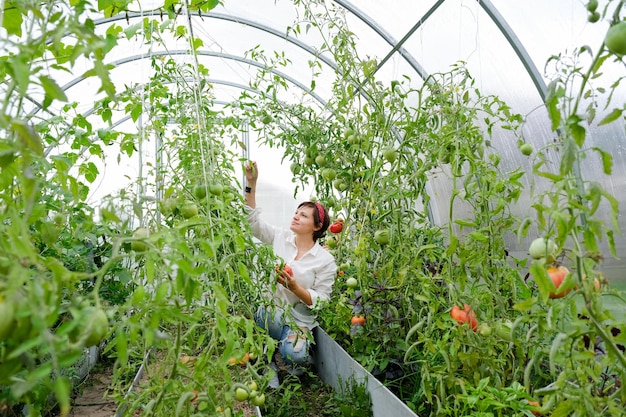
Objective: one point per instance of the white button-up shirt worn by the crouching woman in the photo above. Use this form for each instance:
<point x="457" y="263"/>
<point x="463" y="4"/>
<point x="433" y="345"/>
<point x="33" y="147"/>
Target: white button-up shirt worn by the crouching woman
<point x="315" y="270"/>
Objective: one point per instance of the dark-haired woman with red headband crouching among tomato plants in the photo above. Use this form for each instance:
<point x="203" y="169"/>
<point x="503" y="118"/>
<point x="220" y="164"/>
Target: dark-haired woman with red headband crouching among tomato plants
<point x="292" y="312"/>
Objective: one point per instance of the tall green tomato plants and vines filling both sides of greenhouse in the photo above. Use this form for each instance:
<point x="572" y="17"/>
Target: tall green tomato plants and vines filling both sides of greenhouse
<point x="191" y="288"/>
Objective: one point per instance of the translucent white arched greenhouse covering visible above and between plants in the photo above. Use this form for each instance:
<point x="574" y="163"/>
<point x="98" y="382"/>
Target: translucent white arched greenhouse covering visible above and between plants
<point x="511" y="50"/>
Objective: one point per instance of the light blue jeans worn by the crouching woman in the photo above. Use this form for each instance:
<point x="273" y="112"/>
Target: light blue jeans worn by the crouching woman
<point x="293" y="346"/>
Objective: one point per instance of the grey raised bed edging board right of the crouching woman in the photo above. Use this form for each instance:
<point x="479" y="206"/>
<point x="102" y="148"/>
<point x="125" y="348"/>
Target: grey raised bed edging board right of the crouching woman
<point x="335" y="365"/>
